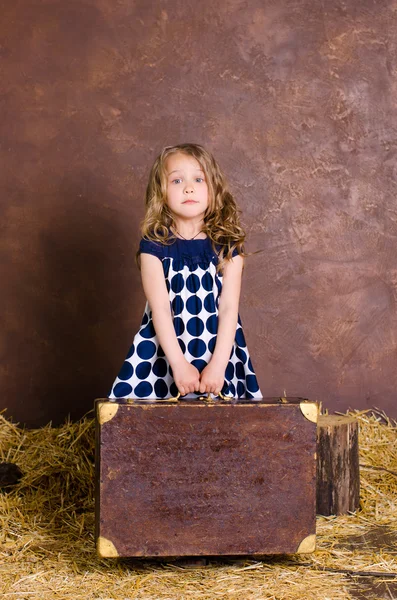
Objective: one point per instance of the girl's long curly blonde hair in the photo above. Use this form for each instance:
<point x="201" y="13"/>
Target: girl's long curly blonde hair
<point x="221" y="219"/>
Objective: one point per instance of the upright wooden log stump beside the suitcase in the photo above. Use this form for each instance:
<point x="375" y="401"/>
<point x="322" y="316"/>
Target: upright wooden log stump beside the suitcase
<point x="338" y="475"/>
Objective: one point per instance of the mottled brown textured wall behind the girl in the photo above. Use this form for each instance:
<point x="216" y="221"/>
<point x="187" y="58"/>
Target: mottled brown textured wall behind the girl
<point x="297" y="100"/>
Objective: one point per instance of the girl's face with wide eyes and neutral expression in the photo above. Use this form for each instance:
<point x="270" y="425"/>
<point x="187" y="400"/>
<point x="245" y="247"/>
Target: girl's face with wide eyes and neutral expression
<point x="187" y="189"/>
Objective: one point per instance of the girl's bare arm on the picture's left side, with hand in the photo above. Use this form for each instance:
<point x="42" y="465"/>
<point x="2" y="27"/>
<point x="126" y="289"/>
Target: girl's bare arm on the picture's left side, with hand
<point x="186" y="376"/>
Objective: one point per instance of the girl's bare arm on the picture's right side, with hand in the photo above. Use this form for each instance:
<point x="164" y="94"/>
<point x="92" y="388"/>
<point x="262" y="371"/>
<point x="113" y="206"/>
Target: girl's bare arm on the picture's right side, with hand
<point x="213" y="376"/>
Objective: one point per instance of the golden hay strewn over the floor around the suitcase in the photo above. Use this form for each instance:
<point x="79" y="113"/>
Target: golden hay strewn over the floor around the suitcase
<point x="47" y="543"/>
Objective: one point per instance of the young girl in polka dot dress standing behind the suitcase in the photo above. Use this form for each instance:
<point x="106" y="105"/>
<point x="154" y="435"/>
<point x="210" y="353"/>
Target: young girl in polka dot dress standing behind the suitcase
<point x="191" y="258"/>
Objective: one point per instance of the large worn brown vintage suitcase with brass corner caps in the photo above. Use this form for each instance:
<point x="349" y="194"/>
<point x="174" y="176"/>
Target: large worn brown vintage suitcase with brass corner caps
<point x="195" y="478"/>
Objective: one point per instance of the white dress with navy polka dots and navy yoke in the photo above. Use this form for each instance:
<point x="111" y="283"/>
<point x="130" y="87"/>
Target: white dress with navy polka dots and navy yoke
<point x="194" y="289"/>
